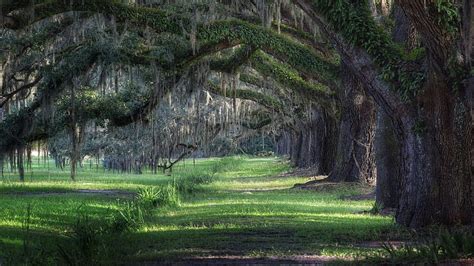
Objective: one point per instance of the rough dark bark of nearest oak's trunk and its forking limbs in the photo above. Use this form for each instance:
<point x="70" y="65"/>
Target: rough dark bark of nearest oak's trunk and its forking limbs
<point x="434" y="128"/>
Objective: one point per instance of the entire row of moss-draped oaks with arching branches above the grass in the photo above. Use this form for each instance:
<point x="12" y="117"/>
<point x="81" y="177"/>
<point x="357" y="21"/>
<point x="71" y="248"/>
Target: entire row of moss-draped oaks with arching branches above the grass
<point x="375" y="92"/>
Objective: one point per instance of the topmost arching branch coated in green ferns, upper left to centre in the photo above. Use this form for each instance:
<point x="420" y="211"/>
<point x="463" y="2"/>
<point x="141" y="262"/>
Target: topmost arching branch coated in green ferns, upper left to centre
<point x="297" y="55"/>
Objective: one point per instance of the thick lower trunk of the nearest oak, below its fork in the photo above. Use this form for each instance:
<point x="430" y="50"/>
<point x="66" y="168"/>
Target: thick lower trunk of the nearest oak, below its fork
<point x="436" y="160"/>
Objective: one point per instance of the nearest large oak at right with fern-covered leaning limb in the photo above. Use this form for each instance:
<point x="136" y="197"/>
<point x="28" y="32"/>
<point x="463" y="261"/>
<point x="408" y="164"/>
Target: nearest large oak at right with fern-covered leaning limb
<point x="426" y="97"/>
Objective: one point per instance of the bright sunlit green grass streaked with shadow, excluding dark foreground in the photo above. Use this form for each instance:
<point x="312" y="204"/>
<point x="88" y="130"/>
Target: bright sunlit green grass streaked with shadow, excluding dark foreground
<point x="225" y="216"/>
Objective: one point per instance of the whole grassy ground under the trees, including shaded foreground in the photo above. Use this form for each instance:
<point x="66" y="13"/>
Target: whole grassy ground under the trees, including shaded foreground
<point x="249" y="214"/>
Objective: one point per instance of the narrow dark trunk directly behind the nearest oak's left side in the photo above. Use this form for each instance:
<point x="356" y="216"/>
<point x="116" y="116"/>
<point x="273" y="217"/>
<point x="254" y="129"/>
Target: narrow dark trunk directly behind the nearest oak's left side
<point x="388" y="161"/>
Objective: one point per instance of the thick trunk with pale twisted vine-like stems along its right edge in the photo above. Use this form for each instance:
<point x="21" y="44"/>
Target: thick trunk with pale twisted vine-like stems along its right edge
<point x="355" y="159"/>
